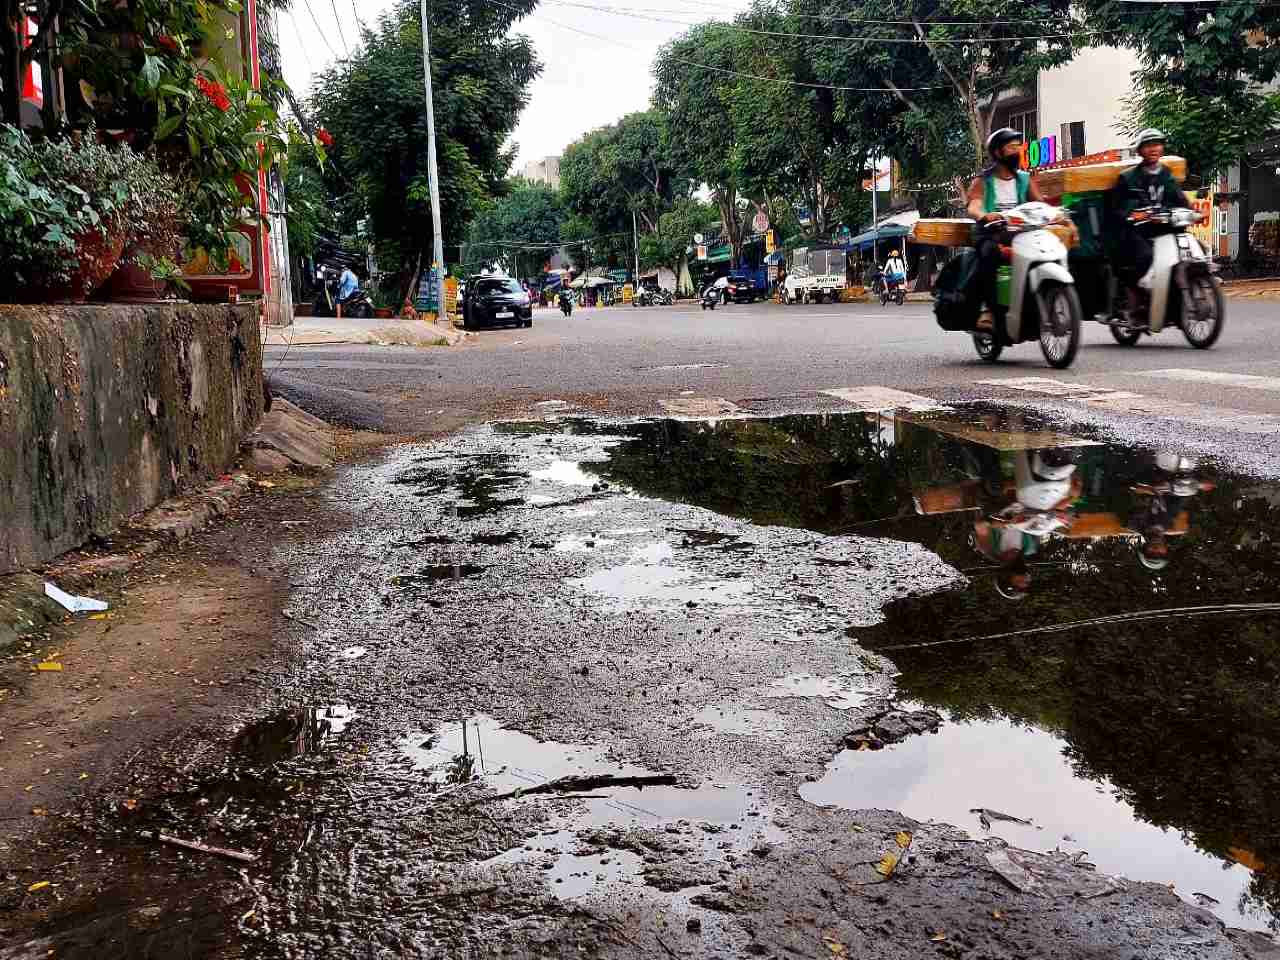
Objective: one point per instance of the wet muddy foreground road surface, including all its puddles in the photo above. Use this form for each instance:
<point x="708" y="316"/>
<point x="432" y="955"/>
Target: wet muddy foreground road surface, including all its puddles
<point x="957" y="683"/>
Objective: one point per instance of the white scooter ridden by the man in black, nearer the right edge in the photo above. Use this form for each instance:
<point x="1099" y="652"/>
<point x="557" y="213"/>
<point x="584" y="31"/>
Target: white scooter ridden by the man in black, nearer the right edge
<point x="1180" y="291"/>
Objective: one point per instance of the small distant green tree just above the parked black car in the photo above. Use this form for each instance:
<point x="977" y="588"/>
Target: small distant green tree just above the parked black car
<point x="520" y="230"/>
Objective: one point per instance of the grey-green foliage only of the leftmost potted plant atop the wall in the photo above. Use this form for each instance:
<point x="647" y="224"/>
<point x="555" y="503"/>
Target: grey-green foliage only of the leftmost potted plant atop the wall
<point x="53" y="194"/>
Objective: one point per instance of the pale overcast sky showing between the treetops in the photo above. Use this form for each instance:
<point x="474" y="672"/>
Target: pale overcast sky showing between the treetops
<point x="587" y="83"/>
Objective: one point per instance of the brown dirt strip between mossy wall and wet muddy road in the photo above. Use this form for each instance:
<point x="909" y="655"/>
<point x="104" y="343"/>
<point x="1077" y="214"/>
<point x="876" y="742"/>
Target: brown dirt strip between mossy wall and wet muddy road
<point x="176" y="657"/>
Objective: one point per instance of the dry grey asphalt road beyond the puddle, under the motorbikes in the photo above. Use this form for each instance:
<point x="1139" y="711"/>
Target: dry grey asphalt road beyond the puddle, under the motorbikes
<point x="628" y="360"/>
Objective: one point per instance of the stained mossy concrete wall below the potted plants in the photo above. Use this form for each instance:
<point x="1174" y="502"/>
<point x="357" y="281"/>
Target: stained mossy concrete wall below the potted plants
<point x="108" y="410"/>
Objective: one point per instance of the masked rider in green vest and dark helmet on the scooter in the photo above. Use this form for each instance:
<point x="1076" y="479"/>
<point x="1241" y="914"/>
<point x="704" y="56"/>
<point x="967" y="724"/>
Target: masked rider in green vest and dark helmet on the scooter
<point x="999" y="189"/>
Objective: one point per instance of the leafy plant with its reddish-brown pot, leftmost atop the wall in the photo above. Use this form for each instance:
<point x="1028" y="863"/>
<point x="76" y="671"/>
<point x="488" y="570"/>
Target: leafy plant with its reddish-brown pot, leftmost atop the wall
<point x="63" y="214"/>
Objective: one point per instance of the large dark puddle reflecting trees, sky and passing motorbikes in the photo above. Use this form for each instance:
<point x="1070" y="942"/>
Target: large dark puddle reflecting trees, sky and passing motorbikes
<point x="1109" y="673"/>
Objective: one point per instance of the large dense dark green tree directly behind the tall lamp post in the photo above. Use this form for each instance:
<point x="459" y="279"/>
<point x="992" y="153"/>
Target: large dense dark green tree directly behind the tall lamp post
<point x="373" y="107"/>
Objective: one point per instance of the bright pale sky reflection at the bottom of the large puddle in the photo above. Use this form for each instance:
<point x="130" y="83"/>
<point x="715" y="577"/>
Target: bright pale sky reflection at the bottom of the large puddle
<point x="1027" y="774"/>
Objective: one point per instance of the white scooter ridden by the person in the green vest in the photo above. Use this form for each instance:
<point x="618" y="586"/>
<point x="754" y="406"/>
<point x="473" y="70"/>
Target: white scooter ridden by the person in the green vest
<point x="1043" y="303"/>
